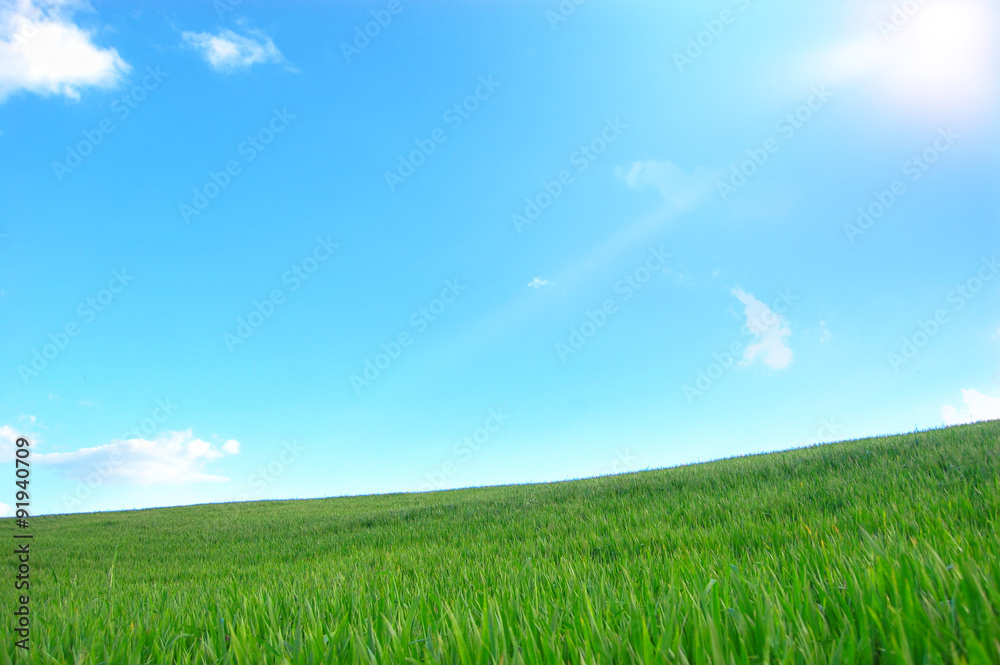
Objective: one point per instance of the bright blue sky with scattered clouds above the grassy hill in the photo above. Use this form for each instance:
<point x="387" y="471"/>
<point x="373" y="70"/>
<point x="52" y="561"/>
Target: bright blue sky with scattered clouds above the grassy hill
<point x="249" y="252"/>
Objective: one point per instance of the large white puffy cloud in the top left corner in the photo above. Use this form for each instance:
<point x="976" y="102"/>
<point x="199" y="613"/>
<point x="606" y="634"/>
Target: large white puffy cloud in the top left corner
<point x="44" y="52"/>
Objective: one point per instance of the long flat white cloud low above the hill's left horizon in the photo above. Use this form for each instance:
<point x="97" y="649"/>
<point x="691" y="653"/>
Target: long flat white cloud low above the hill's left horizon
<point x="172" y="457"/>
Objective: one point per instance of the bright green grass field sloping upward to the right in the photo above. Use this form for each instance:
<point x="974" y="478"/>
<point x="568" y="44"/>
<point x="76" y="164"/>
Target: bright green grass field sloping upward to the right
<point x="875" y="551"/>
